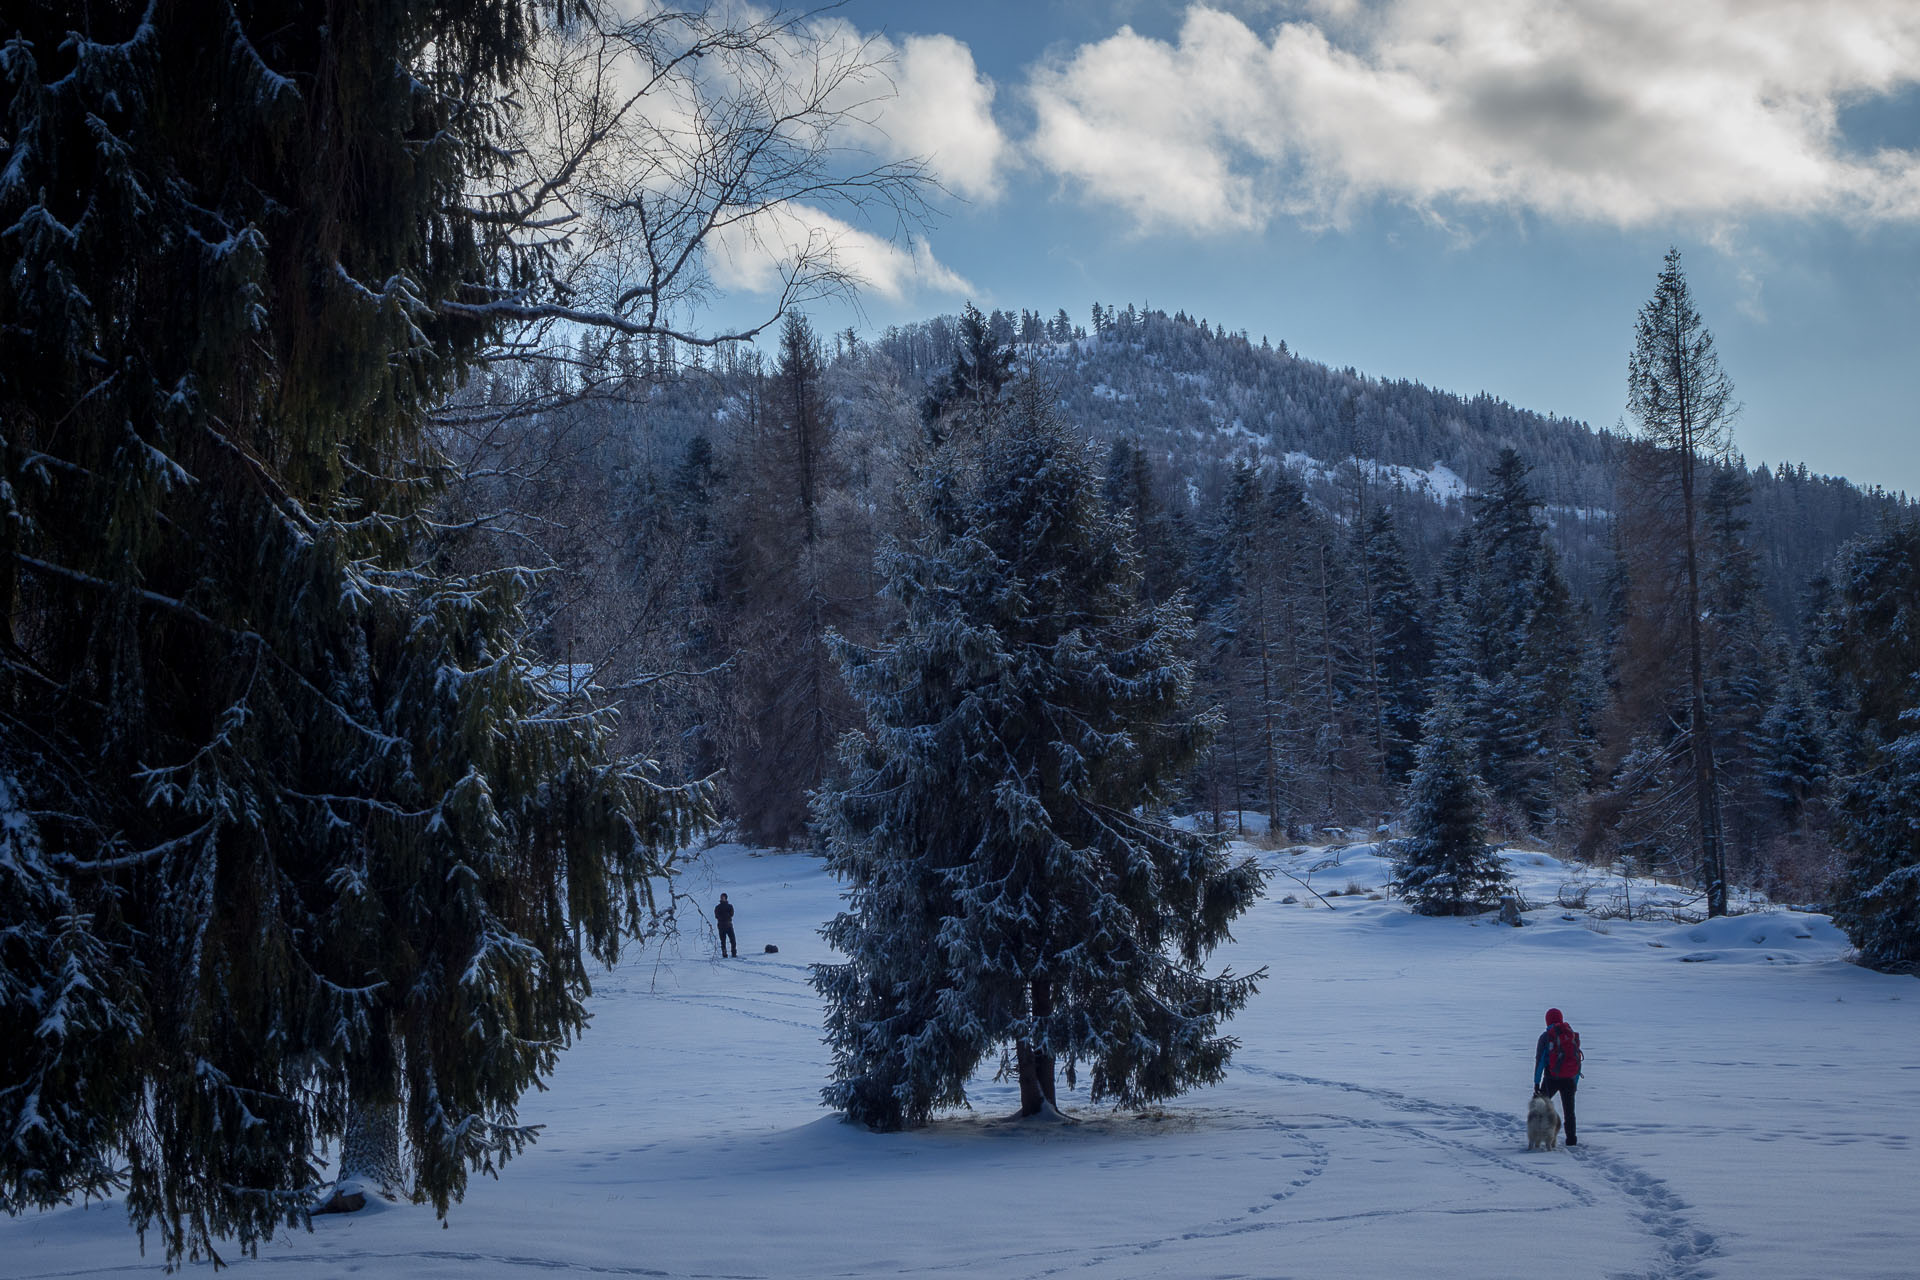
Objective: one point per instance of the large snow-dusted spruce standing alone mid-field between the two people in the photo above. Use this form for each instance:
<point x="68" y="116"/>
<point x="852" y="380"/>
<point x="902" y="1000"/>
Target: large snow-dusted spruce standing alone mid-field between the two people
<point x="1007" y="884"/>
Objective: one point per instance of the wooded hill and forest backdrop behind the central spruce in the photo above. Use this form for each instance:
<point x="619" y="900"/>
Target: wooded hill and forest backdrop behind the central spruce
<point x="1349" y="550"/>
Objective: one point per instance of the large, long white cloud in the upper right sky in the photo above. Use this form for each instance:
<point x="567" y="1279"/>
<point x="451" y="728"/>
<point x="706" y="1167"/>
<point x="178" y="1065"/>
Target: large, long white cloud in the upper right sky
<point x="1620" y="112"/>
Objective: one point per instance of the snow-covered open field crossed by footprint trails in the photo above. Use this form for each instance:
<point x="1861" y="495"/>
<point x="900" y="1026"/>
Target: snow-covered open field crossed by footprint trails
<point x="1750" y="1110"/>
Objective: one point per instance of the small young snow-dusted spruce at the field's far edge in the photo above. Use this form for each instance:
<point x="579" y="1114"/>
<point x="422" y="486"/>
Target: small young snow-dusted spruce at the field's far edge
<point x="1445" y="865"/>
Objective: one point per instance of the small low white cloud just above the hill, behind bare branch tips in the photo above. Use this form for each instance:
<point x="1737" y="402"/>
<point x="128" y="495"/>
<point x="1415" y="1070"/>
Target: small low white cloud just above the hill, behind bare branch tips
<point x="756" y="256"/>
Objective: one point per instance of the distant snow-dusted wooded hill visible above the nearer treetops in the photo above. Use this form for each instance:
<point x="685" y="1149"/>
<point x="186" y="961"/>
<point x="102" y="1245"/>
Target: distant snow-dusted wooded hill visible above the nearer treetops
<point x="1199" y="400"/>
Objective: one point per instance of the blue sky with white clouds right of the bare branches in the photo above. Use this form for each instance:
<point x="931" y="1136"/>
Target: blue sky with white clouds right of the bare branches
<point x="1470" y="193"/>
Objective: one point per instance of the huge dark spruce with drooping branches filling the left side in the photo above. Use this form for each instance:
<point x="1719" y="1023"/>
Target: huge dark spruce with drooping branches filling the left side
<point x="291" y="824"/>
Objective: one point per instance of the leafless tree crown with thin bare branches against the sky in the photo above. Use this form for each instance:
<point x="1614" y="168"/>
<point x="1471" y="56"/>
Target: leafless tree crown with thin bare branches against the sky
<point x="648" y="145"/>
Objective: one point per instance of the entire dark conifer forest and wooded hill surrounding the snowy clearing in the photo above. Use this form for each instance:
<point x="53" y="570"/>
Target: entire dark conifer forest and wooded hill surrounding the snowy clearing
<point x="404" y="569"/>
